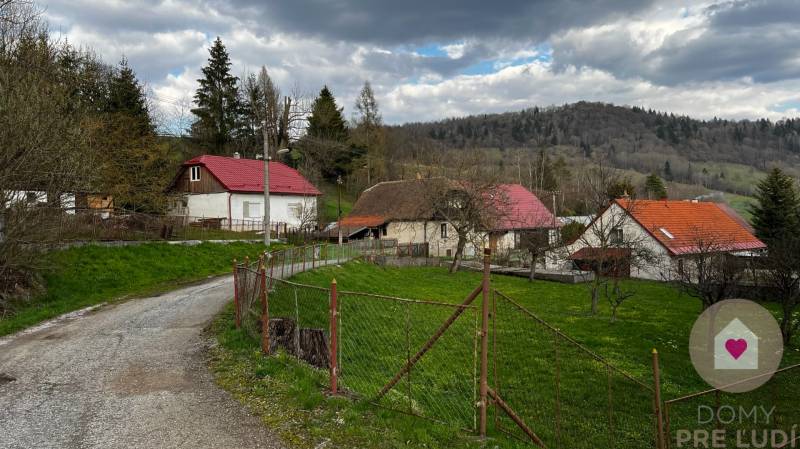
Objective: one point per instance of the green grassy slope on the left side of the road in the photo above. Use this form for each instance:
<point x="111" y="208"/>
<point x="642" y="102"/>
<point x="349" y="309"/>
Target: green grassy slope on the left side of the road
<point x="84" y="276"/>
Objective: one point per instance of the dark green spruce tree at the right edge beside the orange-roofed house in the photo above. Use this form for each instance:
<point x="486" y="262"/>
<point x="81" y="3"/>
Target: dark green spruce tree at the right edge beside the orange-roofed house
<point x="775" y="216"/>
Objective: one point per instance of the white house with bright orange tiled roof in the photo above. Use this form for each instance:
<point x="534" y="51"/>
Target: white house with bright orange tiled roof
<point x="671" y="231"/>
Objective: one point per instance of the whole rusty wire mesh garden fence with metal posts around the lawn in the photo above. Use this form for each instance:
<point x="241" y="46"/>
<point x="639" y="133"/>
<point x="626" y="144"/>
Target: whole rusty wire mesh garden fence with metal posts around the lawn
<point x="486" y="362"/>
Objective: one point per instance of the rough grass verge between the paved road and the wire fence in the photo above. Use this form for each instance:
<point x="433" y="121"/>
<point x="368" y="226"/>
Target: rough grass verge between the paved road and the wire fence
<point x="289" y="397"/>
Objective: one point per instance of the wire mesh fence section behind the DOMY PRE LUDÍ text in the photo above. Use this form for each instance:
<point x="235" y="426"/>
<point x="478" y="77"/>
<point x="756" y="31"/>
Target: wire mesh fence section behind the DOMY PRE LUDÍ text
<point x="718" y="410"/>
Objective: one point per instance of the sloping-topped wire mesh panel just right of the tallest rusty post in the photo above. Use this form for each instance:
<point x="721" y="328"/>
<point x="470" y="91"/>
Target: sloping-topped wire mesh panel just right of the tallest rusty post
<point x="568" y="396"/>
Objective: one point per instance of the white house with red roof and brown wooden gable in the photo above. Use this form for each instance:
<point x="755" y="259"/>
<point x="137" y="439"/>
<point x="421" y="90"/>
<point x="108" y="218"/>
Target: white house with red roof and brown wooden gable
<point x="231" y="189"/>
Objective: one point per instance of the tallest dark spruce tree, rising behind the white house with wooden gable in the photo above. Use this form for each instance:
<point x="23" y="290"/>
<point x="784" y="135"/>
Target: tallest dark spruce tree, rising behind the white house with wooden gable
<point x="218" y="108"/>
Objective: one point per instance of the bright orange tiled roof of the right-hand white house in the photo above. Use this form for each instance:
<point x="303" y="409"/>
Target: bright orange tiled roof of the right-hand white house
<point x="687" y="227"/>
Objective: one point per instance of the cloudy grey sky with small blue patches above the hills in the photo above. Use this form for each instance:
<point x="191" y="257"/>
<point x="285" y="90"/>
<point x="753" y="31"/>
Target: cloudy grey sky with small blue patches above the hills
<point x="435" y="59"/>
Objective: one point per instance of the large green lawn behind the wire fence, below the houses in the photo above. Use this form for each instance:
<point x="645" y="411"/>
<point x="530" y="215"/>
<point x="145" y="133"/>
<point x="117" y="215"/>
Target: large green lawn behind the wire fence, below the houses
<point x="567" y="397"/>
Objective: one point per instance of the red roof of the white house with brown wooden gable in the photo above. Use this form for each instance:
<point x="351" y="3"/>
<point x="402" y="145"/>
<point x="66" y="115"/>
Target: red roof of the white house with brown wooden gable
<point x="247" y="175"/>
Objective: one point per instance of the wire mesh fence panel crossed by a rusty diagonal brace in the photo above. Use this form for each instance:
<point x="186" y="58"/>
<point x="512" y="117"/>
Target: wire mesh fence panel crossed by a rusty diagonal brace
<point x="384" y="339"/>
